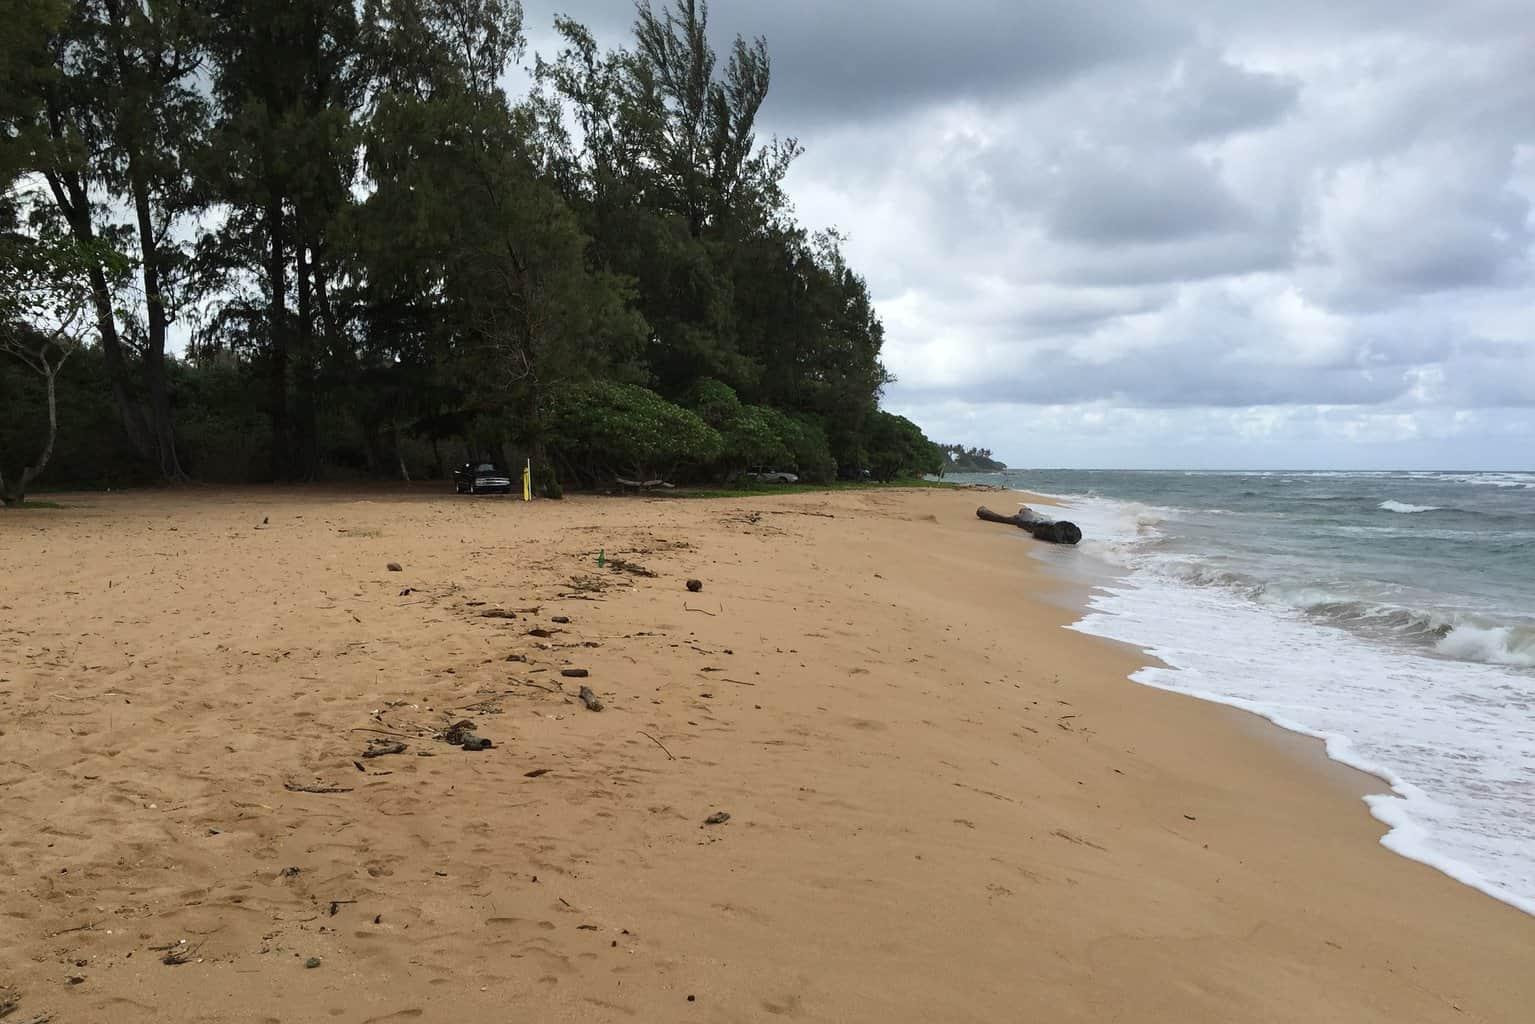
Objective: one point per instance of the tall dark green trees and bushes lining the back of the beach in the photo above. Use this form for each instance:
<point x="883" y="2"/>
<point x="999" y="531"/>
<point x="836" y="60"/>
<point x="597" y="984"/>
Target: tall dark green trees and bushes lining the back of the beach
<point x="375" y="260"/>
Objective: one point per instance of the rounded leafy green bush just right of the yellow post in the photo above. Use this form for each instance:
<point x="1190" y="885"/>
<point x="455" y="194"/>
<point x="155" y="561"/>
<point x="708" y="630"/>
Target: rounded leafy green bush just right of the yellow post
<point x="602" y="431"/>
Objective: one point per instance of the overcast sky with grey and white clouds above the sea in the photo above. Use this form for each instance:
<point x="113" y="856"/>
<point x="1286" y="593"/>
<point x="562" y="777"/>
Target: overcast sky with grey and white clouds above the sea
<point x="1198" y="234"/>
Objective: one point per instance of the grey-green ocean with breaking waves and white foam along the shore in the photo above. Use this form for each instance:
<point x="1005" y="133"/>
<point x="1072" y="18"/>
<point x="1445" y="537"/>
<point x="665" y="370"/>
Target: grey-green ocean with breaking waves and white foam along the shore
<point x="1391" y="615"/>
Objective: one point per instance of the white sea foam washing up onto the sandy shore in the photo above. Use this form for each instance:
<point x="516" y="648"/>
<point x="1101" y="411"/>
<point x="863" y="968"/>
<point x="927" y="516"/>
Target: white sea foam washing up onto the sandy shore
<point x="1453" y="739"/>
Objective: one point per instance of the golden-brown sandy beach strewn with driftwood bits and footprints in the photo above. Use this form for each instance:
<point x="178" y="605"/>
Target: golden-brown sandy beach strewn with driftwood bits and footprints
<point x="943" y="807"/>
